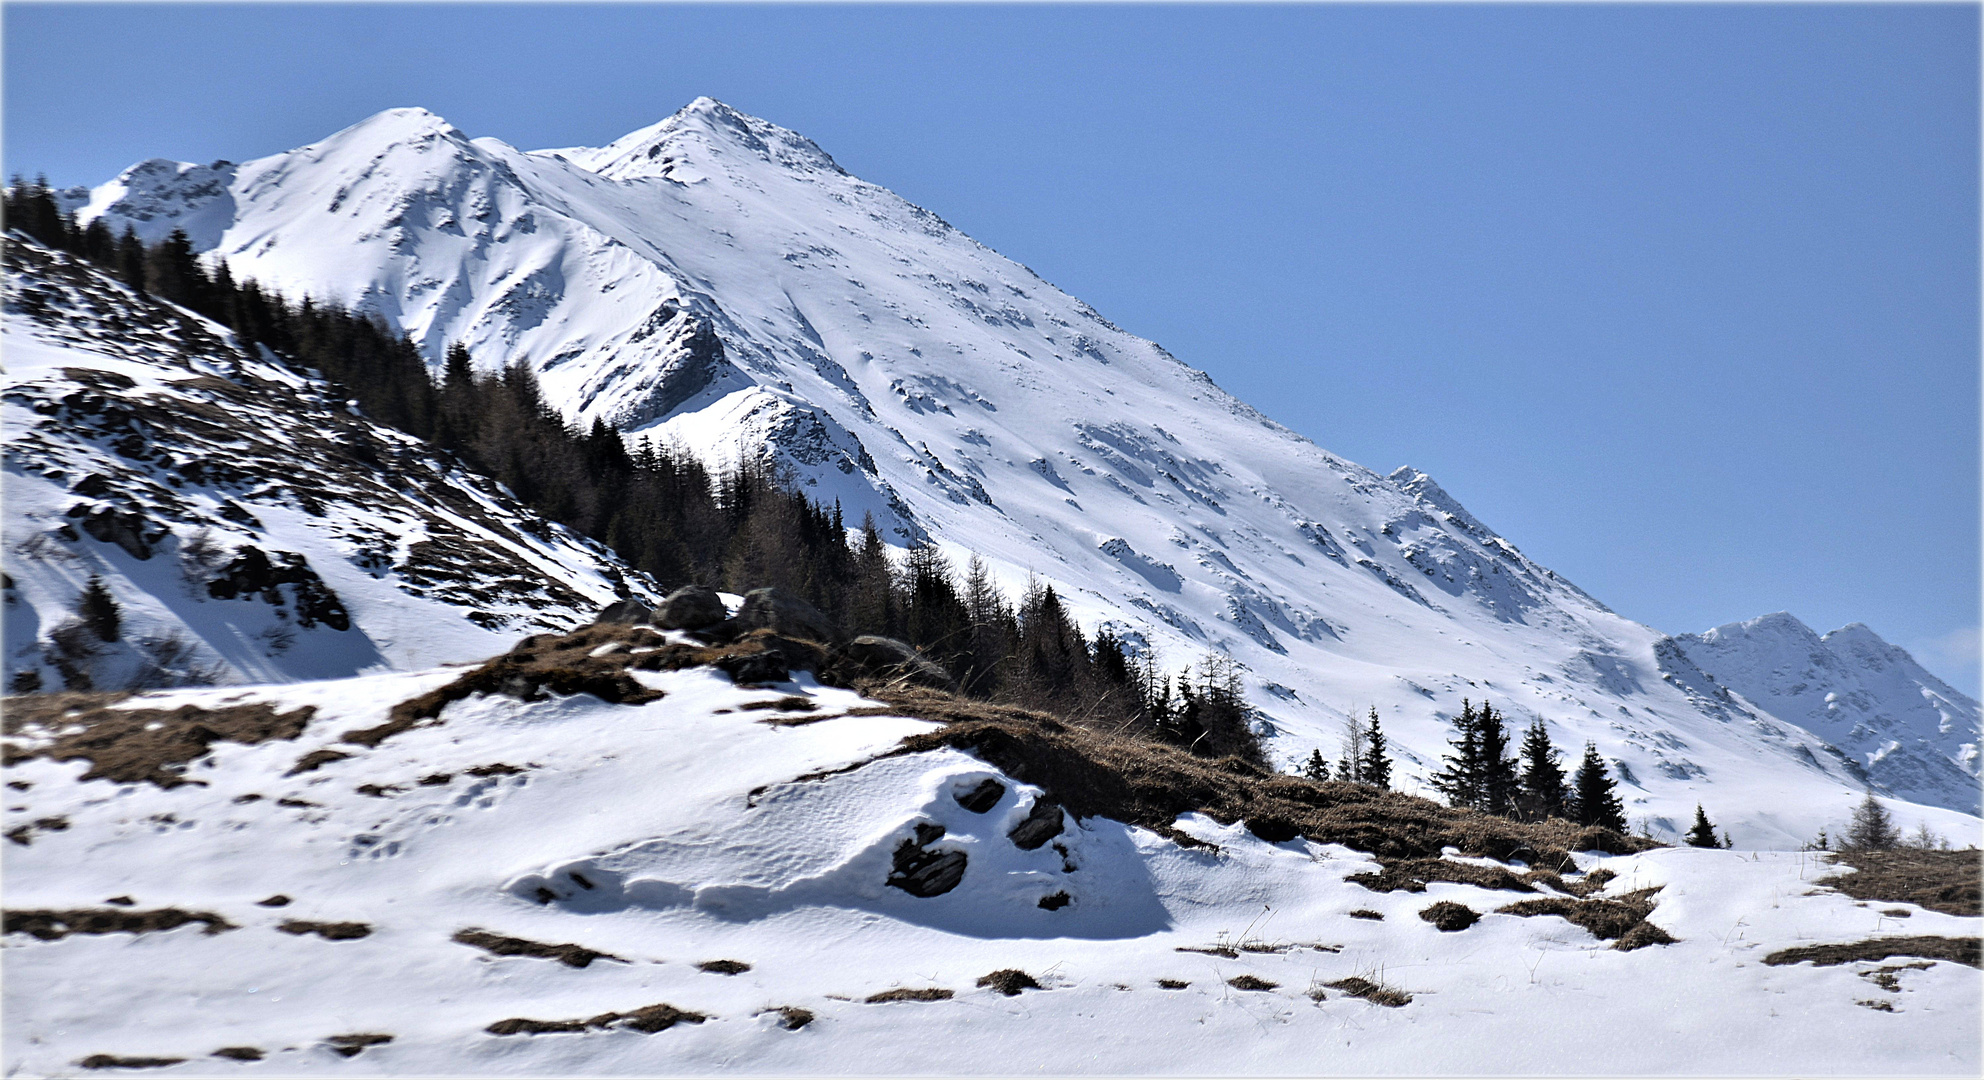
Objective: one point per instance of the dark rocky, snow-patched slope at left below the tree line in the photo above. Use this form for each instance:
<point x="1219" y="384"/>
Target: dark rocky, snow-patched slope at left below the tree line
<point x="249" y="527"/>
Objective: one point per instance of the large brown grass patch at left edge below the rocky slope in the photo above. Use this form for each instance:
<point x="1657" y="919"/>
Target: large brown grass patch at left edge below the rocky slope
<point x="136" y="745"/>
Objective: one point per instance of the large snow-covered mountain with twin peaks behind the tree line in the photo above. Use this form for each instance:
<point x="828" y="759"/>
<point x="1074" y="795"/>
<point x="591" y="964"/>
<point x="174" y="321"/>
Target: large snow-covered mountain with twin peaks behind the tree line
<point x="721" y="281"/>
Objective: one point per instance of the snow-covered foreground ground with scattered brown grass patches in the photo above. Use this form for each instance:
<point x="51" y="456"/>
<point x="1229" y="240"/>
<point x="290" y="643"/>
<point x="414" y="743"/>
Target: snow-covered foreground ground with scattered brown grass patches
<point x="634" y="831"/>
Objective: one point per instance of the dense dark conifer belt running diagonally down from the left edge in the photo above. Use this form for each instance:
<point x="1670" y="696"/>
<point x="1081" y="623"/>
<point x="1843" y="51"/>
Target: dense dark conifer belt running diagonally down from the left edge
<point x="680" y="521"/>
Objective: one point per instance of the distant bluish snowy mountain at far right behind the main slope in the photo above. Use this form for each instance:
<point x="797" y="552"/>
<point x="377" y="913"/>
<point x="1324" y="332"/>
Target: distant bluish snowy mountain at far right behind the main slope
<point x="1914" y="734"/>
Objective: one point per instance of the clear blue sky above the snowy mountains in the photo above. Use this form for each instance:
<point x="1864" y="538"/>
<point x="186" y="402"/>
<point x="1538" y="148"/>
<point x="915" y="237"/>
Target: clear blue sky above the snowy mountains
<point x="1679" y="299"/>
